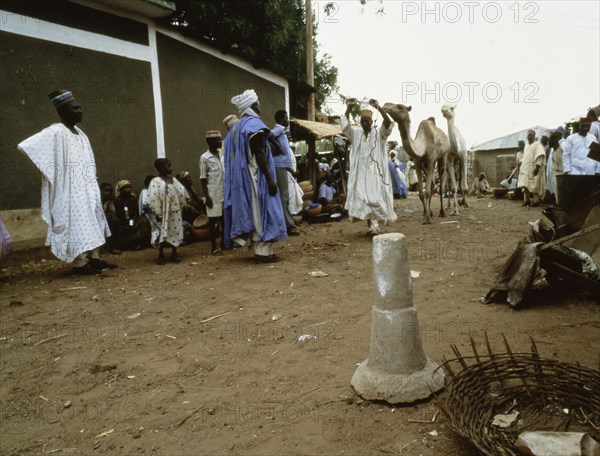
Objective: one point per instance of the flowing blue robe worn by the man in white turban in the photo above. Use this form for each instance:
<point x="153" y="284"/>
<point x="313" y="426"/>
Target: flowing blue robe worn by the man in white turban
<point x="238" y="219"/>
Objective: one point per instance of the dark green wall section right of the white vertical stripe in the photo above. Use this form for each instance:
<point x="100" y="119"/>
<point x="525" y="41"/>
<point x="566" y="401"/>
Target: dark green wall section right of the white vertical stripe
<point x="196" y="95"/>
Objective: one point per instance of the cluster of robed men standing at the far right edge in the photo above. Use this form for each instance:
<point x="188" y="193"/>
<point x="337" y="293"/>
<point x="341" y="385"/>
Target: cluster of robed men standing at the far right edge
<point x="539" y="162"/>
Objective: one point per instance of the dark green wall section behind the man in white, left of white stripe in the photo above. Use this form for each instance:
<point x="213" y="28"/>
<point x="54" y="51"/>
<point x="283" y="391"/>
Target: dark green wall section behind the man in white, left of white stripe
<point x="115" y="94"/>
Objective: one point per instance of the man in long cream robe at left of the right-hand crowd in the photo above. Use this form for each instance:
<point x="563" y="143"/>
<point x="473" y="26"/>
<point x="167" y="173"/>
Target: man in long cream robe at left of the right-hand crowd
<point x="532" y="175"/>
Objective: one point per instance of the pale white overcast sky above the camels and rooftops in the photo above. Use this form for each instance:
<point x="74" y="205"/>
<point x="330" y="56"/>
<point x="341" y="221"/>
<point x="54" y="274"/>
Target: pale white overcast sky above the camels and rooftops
<point x="540" y="60"/>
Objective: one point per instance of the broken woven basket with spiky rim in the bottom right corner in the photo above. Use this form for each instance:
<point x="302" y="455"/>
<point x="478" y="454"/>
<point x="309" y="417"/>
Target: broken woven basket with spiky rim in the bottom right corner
<point x="549" y="395"/>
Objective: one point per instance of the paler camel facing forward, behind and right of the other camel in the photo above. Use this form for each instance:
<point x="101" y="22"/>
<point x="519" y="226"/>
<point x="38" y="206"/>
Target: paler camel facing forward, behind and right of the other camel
<point x="457" y="155"/>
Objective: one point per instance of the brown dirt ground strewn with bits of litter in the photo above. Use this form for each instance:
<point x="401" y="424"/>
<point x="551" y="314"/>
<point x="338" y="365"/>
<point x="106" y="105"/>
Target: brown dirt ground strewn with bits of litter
<point x="127" y="363"/>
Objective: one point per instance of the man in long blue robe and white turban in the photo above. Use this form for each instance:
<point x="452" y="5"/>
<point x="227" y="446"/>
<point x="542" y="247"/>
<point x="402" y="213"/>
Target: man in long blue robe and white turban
<point x="256" y="216"/>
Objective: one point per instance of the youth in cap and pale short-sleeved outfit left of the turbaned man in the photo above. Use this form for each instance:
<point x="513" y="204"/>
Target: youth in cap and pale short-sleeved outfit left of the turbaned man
<point x="212" y="177"/>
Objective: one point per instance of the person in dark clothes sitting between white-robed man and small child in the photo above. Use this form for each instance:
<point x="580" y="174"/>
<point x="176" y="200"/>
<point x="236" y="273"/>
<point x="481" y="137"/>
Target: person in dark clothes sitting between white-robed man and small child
<point x="134" y="229"/>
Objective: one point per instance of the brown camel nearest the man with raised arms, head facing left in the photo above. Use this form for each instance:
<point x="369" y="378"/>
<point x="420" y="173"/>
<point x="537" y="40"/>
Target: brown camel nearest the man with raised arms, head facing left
<point x="430" y="146"/>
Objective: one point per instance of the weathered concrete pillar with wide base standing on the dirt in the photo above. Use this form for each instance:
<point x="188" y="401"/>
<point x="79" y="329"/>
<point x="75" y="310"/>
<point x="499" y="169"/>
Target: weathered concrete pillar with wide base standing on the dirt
<point x="397" y="369"/>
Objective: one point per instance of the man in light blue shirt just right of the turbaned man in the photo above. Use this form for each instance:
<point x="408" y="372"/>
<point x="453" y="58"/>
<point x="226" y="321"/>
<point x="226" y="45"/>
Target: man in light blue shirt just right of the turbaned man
<point x="282" y="157"/>
